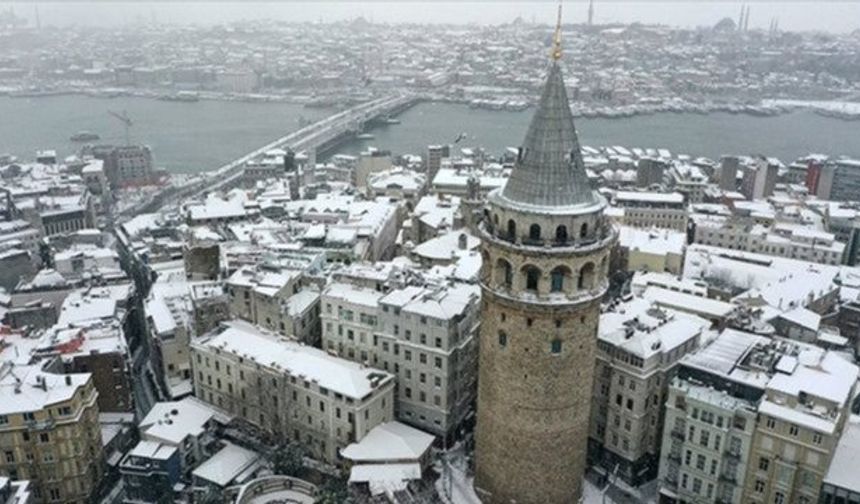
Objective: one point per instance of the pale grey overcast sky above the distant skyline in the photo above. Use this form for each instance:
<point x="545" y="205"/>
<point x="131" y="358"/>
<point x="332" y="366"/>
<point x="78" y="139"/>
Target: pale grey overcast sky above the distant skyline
<point x="831" y="16"/>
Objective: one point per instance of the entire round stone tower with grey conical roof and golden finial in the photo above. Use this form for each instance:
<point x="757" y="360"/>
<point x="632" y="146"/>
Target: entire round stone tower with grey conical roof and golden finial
<point x="545" y="250"/>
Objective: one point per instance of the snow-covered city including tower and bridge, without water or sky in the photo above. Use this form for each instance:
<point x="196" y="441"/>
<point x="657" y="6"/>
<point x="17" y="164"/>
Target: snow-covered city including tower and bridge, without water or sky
<point x="555" y="322"/>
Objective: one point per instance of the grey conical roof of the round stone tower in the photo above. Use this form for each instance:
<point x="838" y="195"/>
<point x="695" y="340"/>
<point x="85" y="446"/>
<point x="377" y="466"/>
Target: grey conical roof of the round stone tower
<point x="549" y="171"/>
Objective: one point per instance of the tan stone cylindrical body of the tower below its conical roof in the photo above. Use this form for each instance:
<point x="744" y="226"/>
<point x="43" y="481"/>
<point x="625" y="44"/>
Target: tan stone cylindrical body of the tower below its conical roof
<point x="534" y="399"/>
